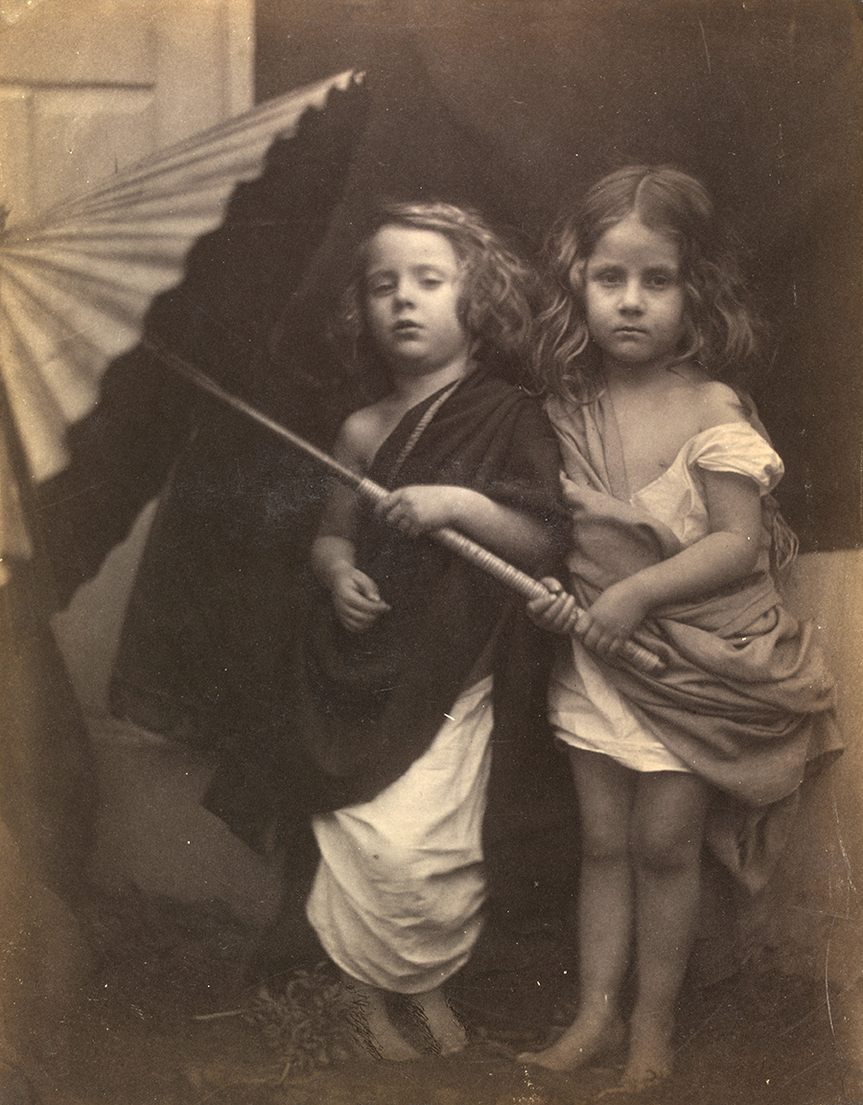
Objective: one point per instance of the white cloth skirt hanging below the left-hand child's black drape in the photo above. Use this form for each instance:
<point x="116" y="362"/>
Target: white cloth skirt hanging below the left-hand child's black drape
<point x="397" y="900"/>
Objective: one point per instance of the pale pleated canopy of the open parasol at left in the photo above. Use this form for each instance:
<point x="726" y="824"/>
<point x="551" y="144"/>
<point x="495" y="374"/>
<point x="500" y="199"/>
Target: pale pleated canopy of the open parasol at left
<point x="77" y="285"/>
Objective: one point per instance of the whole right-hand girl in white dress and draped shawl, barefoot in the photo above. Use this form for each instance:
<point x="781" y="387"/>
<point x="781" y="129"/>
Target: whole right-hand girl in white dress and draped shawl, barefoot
<point x="668" y="475"/>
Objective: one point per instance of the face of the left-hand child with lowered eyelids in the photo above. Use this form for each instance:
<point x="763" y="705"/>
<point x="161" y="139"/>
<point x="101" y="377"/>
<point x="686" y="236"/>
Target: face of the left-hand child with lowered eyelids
<point x="414" y="283"/>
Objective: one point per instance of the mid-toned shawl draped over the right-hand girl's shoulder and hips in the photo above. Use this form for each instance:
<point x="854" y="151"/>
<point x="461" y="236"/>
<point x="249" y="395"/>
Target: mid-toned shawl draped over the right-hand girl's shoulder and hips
<point x="745" y="700"/>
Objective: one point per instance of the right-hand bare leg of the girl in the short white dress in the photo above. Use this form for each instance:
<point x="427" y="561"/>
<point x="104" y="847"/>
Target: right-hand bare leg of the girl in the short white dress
<point x="668" y="829"/>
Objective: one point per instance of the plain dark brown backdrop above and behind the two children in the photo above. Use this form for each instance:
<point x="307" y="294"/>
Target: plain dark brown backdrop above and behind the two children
<point x="518" y="106"/>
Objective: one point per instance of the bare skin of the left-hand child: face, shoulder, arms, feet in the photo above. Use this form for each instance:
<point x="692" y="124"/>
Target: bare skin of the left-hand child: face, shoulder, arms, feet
<point x="414" y="285"/>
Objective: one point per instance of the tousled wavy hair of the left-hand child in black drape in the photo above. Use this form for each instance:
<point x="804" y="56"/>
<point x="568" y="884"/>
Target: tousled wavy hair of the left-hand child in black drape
<point x="498" y="296"/>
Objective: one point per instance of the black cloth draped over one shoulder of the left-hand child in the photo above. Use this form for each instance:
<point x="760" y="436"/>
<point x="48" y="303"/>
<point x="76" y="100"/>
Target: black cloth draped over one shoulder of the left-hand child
<point x="360" y="709"/>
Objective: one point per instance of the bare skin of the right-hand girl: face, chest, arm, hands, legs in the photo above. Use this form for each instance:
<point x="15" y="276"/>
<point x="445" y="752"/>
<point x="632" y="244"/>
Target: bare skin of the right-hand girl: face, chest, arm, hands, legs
<point x="643" y="832"/>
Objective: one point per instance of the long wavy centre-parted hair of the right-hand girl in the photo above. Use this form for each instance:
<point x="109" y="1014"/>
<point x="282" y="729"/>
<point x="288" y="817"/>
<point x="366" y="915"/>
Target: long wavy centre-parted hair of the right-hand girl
<point x="723" y="330"/>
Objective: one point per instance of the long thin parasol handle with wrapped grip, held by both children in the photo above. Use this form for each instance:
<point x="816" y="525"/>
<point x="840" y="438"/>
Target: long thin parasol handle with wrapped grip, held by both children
<point x="466" y="548"/>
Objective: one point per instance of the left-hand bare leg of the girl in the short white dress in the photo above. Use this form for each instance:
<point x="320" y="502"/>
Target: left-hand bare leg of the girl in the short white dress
<point x="605" y="912"/>
